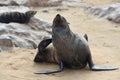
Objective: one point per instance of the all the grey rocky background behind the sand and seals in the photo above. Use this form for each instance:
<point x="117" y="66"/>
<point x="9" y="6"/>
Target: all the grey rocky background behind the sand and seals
<point x="29" y="35"/>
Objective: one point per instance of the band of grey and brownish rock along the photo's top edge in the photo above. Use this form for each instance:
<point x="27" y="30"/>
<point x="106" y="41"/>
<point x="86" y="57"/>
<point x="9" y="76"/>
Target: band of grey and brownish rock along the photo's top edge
<point x="43" y="3"/>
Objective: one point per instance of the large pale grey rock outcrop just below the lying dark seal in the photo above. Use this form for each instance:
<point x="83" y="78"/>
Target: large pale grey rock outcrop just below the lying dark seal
<point x="25" y="35"/>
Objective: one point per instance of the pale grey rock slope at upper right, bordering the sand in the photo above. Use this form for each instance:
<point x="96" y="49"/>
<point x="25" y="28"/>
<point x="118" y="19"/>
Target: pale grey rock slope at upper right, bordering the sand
<point x="109" y="12"/>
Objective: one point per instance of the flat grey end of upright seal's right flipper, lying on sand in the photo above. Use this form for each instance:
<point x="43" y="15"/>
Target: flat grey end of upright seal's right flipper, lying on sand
<point x="103" y="68"/>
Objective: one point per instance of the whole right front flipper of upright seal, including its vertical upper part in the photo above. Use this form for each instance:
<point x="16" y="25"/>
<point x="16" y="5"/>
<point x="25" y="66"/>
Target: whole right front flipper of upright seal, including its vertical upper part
<point x="99" y="68"/>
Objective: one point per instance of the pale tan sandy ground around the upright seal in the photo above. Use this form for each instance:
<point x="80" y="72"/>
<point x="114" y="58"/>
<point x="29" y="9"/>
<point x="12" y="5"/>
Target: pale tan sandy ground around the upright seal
<point x="104" y="41"/>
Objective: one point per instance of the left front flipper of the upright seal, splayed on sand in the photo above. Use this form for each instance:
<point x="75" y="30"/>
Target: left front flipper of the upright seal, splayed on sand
<point x="51" y="71"/>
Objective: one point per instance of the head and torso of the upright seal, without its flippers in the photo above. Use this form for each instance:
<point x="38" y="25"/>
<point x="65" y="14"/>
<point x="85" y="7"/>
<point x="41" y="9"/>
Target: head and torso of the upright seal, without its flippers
<point x="73" y="49"/>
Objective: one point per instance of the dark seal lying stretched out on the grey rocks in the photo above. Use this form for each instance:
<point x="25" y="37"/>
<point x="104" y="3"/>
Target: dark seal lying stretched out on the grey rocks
<point x="16" y="17"/>
